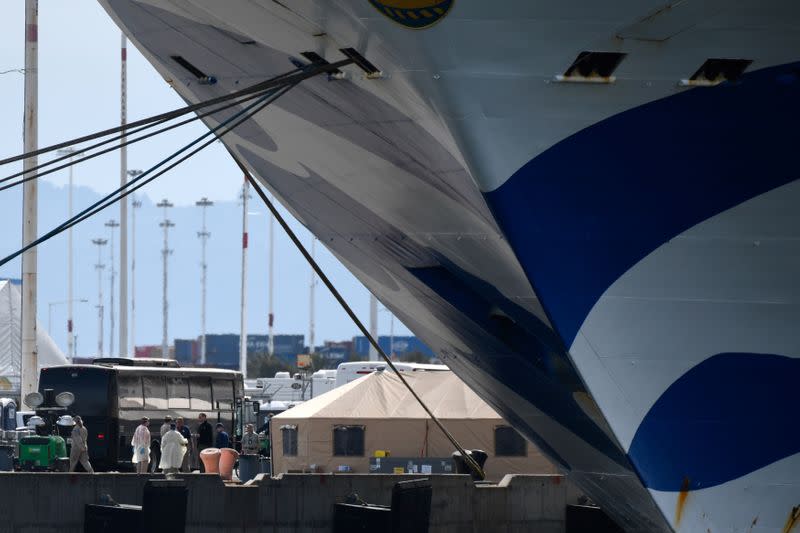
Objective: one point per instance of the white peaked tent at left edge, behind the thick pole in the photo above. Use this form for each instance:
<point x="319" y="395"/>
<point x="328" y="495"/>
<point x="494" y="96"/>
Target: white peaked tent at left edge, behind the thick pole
<point x="10" y="340"/>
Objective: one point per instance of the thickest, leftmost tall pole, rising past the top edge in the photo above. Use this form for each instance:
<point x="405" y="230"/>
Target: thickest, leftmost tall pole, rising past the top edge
<point x="30" y="358"/>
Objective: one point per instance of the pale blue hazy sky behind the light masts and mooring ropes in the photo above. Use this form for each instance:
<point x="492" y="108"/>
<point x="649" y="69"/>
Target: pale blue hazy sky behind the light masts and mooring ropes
<point x="79" y="91"/>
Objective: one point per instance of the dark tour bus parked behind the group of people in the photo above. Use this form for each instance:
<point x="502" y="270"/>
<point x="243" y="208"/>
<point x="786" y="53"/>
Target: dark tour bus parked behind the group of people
<point x="112" y="395"/>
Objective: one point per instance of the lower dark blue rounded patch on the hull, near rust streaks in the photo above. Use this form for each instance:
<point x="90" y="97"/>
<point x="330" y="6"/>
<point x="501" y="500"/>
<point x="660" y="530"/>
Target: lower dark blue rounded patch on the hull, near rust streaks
<point x="728" y="416"/>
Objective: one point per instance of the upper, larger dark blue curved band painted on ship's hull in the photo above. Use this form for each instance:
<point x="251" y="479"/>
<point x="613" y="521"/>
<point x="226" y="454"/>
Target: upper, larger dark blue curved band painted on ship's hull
<point x="585" y="211"/>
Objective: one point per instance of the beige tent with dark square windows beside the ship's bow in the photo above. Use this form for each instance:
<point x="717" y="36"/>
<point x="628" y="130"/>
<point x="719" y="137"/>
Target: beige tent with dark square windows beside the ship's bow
<point x="393" y="420"/>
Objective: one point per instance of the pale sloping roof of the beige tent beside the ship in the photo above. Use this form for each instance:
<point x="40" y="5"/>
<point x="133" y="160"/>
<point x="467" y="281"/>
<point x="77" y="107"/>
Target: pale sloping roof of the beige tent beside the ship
<point x="383" y="395"/>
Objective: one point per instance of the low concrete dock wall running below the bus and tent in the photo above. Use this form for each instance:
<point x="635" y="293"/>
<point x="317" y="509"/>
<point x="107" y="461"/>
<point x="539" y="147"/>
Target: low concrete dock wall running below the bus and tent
<point x="54" y="502"/>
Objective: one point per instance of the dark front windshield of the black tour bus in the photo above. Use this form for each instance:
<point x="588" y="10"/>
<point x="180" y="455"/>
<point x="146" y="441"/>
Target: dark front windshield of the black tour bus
<point x="89" y="385"/>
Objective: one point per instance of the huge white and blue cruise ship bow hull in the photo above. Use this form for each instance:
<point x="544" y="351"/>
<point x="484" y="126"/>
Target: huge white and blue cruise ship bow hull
<point x="609" y="264"/>
